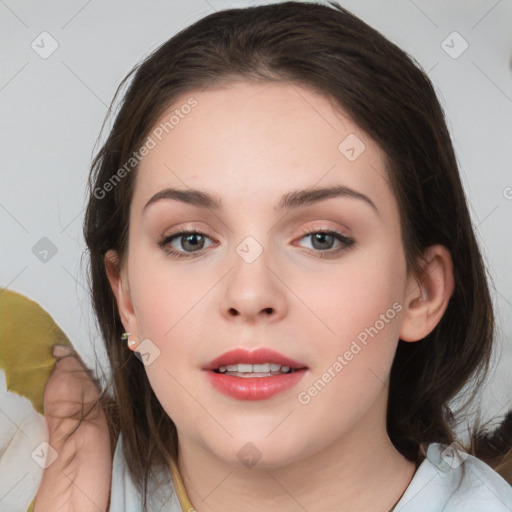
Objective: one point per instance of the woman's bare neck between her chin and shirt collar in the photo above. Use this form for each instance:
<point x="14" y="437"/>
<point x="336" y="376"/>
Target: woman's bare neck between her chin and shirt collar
<point x="359" y="471"/>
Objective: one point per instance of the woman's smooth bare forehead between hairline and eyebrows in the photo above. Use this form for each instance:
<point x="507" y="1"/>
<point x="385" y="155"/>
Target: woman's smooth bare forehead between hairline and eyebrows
<point x="257" y="141"/>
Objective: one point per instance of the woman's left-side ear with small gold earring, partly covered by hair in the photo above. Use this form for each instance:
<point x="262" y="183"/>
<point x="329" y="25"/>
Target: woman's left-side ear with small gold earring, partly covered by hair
<point x="120" y="287"/>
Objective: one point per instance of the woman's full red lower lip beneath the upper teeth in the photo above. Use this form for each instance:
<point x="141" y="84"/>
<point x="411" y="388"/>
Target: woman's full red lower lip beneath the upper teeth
<point x="254" y="388"/>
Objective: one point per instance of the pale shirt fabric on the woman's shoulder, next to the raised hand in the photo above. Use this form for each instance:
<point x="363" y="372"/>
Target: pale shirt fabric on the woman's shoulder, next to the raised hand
<point x="125" y="495"/>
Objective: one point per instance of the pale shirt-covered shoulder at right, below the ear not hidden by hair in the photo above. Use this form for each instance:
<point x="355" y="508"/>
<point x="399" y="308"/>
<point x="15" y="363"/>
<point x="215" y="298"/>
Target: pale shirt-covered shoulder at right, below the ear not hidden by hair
<point x="450" y="480"/>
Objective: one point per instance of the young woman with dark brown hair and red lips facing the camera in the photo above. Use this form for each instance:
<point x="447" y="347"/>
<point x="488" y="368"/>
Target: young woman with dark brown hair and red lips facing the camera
<point x="278" y="230"/>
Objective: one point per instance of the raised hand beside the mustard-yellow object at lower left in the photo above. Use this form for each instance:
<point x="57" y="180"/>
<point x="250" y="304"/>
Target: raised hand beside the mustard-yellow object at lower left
<point x="79" y="479"/>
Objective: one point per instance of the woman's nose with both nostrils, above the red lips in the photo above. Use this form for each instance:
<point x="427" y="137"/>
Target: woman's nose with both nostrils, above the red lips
<point x="253" y="291"/>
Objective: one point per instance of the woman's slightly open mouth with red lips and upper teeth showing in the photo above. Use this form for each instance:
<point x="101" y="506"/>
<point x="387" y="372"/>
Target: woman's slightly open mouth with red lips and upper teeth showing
<point x="254" y="375"/>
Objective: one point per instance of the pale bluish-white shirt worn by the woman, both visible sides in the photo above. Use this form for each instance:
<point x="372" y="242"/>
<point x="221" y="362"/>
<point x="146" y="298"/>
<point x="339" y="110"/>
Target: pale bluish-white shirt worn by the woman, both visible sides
<point x="444" y="482"/>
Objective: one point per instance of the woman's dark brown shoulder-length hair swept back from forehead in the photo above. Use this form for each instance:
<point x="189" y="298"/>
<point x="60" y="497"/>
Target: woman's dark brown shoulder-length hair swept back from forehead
<point x="327" y="48"/>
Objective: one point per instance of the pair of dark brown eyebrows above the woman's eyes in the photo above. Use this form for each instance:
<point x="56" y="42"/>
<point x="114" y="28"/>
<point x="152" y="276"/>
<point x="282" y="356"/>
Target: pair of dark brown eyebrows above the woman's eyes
<point x="289" y="201"/>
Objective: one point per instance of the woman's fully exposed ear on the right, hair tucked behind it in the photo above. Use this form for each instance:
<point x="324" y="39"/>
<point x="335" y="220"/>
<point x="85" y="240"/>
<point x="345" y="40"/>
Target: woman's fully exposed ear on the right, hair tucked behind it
<point x="428" y="295"/>
